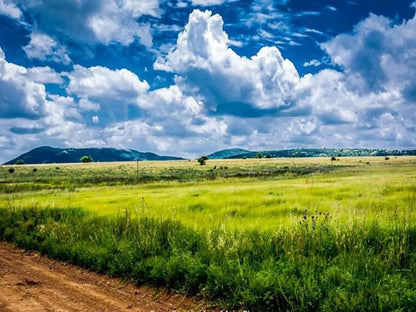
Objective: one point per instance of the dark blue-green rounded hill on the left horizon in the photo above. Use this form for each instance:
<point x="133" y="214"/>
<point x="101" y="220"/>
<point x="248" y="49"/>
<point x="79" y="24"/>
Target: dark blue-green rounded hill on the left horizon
<point x="47" y="154"/>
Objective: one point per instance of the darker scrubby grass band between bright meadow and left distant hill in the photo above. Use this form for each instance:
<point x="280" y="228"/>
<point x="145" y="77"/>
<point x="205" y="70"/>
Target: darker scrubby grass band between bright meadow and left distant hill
<point x="25" y="179"/>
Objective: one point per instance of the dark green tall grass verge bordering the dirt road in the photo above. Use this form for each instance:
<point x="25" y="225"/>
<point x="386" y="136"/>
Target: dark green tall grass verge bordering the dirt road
<point x="316" y="265"/>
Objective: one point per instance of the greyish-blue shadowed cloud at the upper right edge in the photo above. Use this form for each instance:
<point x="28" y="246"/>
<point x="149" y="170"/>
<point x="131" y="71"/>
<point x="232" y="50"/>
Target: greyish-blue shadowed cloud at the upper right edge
<point x="378" y="56"/>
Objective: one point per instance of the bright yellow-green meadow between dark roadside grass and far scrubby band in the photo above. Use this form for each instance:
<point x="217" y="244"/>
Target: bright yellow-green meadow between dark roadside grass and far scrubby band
<point x="265" y="203"/>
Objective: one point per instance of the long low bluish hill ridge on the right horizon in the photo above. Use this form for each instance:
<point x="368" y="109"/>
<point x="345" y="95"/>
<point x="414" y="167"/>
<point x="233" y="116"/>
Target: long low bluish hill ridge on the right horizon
<point x="324" y="152"/>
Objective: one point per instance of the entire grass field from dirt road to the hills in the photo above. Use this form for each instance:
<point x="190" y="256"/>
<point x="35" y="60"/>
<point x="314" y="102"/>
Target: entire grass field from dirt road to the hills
<point x="269" y="234"/>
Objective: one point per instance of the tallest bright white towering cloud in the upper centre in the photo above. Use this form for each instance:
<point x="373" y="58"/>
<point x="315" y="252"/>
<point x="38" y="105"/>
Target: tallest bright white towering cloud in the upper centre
<point x="207" y="67"/>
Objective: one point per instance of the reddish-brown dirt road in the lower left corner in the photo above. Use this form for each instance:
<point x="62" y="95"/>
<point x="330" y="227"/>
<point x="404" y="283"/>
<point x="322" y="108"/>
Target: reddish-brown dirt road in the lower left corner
<point x="30" y="282"/>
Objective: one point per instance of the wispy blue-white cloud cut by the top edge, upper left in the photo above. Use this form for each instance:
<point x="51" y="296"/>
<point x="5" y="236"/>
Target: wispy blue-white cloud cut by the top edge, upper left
<point x="94" y="21"/>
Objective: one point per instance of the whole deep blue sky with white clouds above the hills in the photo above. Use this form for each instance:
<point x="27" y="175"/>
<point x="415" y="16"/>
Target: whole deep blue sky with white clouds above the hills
<point x="189" y="77"/>
